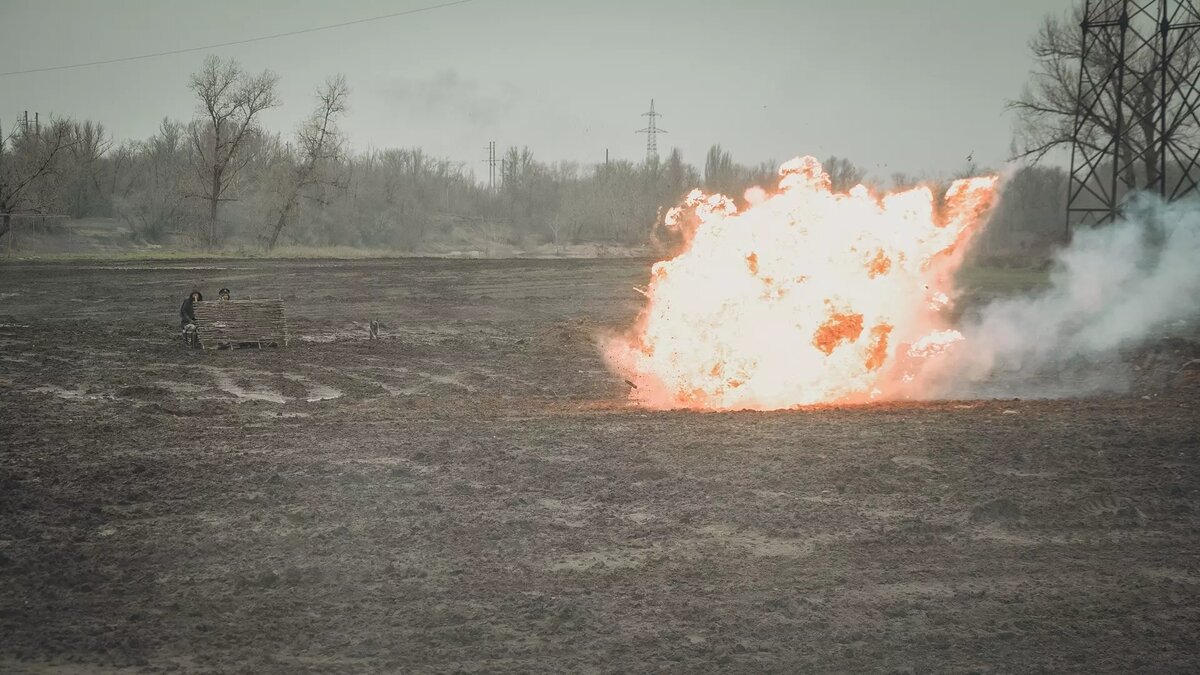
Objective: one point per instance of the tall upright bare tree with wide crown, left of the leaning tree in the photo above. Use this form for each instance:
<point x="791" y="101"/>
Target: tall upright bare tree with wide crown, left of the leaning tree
<point x="230" y="105"/>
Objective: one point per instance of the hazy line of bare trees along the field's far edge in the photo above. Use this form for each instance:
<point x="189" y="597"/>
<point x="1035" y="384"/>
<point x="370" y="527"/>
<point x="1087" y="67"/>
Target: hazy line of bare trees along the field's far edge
<point x="223" y="181"/>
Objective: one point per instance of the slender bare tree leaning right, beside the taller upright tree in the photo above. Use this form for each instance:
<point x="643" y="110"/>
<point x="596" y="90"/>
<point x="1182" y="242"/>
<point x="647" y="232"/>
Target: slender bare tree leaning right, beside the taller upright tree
<point x="320" y="144"/>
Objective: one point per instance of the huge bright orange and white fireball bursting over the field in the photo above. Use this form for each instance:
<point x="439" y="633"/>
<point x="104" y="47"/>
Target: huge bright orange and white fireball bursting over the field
<point x="802" y="297"/>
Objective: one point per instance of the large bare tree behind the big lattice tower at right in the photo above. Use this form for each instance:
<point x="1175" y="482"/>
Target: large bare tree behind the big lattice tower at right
<point x="1048" y="107"/>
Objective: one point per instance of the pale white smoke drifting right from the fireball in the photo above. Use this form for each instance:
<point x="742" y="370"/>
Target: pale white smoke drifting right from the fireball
<point x="1115" y="289"/>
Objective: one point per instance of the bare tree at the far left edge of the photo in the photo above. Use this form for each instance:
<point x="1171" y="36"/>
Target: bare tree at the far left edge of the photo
<point x="27" y="162"/>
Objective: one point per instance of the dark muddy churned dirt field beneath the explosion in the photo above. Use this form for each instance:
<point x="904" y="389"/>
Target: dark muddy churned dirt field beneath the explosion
<point x="472" y="494"/>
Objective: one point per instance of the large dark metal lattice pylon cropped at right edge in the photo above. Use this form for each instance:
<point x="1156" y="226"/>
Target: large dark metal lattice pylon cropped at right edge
<point x="1138" y="106"/>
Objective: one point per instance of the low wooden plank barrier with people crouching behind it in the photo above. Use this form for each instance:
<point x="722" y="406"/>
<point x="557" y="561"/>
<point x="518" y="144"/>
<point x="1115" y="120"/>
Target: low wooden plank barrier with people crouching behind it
<point x="241" y="324"/>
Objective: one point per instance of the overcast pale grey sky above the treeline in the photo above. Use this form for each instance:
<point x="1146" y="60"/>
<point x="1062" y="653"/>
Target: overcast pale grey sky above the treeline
<point x="895" y="86"/>
